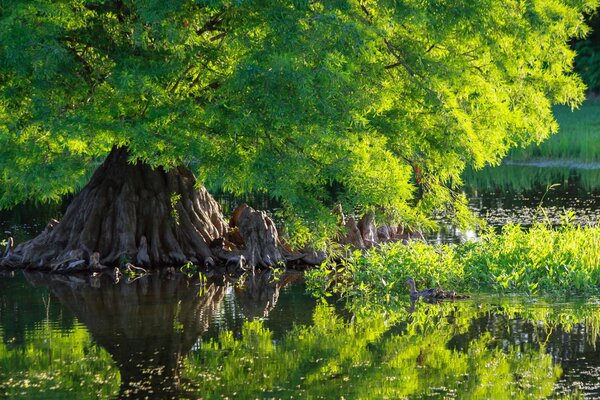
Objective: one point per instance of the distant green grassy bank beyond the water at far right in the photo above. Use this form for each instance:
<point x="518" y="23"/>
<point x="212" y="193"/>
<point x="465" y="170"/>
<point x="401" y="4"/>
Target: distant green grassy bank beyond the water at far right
<point x="578" y="138"/>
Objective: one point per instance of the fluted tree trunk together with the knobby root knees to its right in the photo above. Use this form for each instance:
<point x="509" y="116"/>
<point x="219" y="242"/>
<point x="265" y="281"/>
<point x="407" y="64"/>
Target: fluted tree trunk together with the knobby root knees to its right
<point x="153" y="218"/>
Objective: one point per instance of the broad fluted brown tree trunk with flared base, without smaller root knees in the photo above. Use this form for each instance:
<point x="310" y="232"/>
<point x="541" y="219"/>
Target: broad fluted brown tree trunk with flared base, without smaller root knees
<point x="129" y="213"/>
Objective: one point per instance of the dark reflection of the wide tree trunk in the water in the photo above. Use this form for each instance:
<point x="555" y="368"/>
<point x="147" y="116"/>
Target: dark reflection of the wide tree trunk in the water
<point x="147" y="325"/>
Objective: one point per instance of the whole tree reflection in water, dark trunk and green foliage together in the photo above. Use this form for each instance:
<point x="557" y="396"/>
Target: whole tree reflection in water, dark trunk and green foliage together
<point x="476" y="351"/>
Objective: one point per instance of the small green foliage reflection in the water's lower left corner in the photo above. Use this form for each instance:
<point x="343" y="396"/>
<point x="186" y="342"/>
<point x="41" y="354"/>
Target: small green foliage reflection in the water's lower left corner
<point x="55" y="363"/>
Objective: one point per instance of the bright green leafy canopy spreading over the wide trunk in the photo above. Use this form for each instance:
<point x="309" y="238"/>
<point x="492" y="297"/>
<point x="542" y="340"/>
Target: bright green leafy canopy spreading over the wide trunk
<point x="373" y="104"/>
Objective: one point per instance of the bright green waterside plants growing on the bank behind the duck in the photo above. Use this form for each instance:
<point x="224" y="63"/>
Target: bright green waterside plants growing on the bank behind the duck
<point x="539" y="260"/>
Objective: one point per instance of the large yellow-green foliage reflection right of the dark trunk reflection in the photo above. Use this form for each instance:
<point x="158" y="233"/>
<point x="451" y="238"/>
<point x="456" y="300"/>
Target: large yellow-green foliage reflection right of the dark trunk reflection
<point x="372" y="357"/>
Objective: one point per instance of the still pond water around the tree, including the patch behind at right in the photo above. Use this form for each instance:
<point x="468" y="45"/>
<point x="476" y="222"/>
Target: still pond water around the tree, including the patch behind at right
<point x="163" y="337"/>
